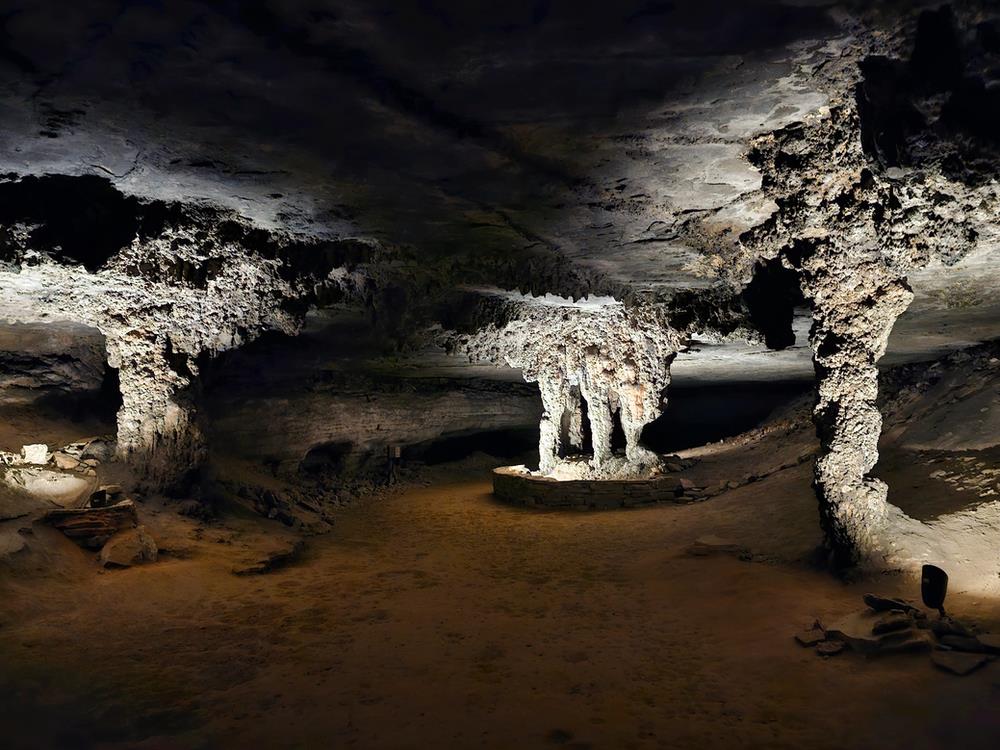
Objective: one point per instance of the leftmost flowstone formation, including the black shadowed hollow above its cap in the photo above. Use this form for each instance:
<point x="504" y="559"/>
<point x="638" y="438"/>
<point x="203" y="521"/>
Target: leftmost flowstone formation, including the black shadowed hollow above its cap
<point x="171" y="285"/>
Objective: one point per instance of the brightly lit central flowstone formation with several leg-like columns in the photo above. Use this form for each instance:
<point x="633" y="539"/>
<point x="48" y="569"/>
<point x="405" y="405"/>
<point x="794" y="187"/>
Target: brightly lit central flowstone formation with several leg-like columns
<point x="613" y="359"/>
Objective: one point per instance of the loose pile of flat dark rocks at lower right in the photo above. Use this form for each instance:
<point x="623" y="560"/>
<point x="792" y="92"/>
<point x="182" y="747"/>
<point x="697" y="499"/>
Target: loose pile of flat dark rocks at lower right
<point x="892" y="626"/>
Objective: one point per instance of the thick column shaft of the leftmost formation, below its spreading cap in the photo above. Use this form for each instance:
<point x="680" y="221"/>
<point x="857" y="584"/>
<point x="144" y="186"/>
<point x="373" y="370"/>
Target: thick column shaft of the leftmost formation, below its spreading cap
<point x="157" y="433"/>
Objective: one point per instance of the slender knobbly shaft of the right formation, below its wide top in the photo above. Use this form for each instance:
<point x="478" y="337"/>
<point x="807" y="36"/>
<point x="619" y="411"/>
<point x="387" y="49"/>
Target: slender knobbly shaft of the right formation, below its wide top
<point x="854" y="309"/>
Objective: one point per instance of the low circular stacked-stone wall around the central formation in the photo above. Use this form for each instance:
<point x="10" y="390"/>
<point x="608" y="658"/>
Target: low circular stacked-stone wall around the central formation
<point x="517" y="485"/>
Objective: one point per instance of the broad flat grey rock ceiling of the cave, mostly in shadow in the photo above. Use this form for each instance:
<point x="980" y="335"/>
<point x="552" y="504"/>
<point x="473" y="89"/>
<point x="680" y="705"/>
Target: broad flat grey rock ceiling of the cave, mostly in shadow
<point x="553" y="147"/>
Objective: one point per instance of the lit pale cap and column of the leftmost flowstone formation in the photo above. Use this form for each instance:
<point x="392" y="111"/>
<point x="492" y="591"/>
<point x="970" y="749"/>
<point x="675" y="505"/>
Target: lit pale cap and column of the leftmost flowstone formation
<point x="198" y="285"/>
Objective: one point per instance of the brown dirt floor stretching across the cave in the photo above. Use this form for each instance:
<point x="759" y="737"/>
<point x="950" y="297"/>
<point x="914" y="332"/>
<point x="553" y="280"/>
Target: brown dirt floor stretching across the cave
<point x="436" y="616"/>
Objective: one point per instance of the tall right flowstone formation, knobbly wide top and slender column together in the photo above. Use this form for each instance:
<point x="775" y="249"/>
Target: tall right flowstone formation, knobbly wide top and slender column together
<point x="851" y="222"/>
